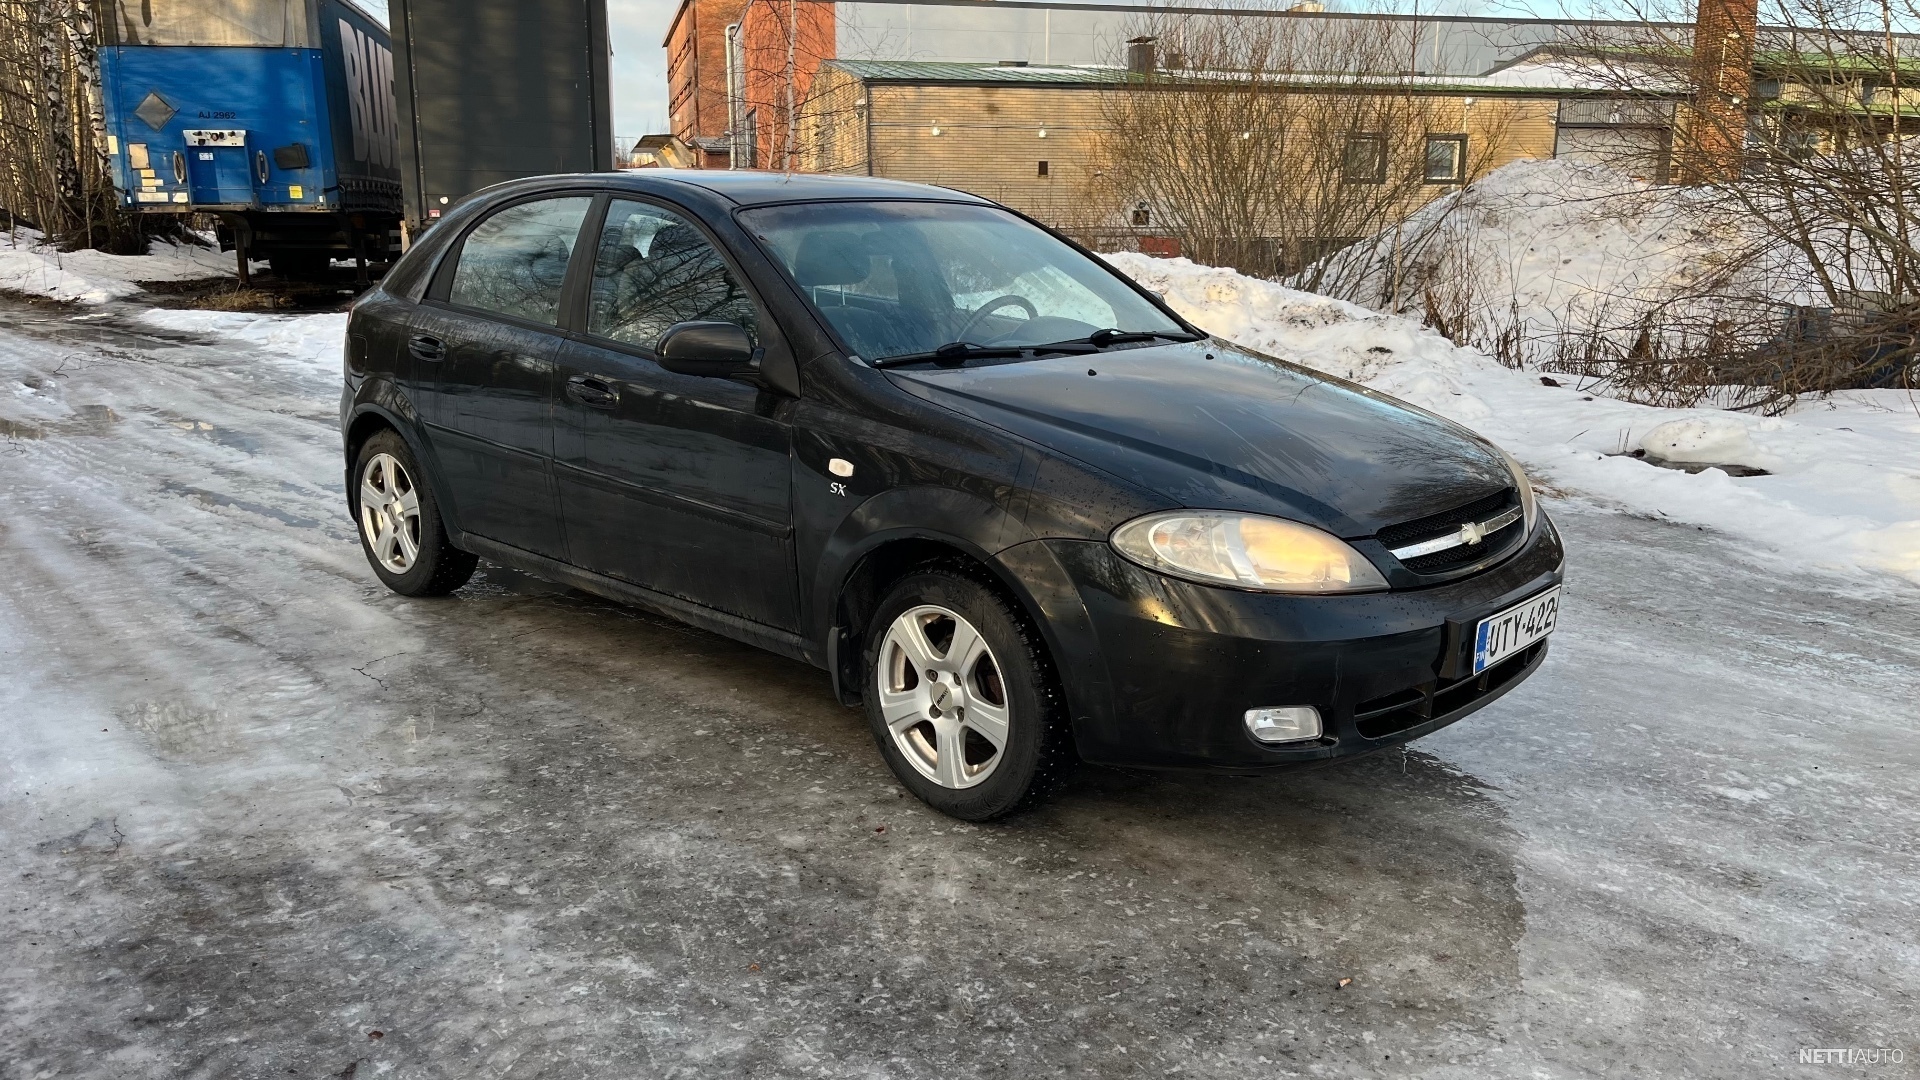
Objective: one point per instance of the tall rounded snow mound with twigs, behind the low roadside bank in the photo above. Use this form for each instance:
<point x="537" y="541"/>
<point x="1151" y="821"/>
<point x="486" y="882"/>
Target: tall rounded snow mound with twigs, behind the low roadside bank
<point x="1560" y="247"/>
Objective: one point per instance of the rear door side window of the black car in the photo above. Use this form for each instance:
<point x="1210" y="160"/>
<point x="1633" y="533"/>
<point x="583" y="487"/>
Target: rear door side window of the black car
<point x="516" y="262"/>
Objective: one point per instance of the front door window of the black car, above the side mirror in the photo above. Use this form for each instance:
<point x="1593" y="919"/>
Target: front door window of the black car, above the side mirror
<point x="656" y="270"/>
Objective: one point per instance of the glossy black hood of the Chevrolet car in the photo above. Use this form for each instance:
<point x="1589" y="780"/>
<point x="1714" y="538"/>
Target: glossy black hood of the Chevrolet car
<point x="1211" y="426"/>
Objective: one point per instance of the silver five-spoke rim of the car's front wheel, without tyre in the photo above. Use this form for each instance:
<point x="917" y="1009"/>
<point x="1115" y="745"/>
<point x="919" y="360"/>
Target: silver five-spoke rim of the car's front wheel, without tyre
<point x="944" y="697"/>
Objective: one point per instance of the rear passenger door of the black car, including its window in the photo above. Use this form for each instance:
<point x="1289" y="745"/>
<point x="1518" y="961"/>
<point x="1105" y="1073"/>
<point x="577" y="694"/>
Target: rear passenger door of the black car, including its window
<point x="485" y="345"/>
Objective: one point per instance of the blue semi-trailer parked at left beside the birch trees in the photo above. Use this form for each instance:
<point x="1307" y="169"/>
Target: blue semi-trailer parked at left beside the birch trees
<point x="274" y="116"/>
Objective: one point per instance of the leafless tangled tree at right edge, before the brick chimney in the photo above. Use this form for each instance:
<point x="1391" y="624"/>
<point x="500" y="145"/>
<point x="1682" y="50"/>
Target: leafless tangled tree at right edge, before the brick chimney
<point x="1798" y="137"/>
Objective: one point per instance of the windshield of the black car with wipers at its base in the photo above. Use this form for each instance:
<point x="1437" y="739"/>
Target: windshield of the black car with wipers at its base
<point x="901" y="280"/>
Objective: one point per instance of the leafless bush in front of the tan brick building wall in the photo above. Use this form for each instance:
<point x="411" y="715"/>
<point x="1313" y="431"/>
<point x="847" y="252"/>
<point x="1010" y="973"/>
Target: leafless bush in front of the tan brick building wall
<point x="1264" y="143"/>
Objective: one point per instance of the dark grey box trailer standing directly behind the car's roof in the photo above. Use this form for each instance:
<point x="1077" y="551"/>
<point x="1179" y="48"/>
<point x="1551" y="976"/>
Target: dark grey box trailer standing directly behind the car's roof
<point x="494" y="91"/>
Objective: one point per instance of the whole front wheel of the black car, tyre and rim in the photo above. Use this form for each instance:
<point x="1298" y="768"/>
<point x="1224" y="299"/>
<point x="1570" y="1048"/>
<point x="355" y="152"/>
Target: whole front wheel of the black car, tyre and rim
<point x="963" y="699"/>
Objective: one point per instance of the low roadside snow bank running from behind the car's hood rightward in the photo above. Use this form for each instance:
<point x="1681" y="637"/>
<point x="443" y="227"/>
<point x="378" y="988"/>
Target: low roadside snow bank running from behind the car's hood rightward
<point x="1844" y="487"/>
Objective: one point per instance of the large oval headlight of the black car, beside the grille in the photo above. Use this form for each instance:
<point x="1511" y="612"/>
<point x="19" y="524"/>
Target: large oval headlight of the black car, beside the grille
<point x="1245" y="552"/>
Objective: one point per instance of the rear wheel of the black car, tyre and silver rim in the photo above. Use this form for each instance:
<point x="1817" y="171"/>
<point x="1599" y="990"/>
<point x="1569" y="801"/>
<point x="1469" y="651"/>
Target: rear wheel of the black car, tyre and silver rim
<point x="400" y="524"/>
